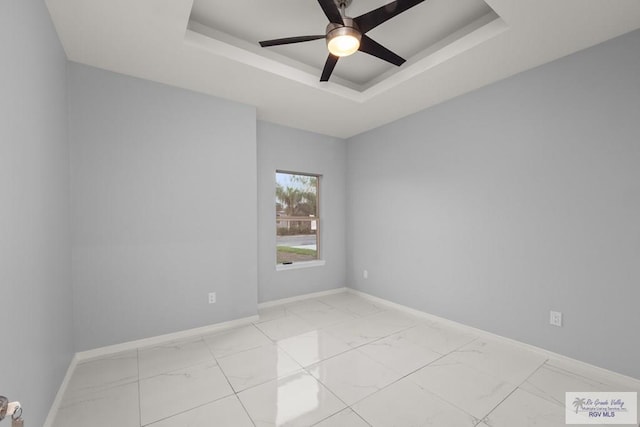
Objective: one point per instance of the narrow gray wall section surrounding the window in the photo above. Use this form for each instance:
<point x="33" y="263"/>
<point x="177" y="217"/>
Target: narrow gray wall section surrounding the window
<point x="283" y="148"/>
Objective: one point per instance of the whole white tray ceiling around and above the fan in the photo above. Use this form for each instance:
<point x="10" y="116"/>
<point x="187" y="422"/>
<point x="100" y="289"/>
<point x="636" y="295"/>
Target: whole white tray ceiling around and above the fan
<point x="451" y="47"/>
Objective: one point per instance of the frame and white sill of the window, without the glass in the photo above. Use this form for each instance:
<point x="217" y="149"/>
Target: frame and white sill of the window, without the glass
<point x="318" y="261"/>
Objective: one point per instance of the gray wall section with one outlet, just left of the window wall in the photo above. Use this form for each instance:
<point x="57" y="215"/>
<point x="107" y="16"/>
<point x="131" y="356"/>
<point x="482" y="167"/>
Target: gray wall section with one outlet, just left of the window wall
<point x="164" y="208"/>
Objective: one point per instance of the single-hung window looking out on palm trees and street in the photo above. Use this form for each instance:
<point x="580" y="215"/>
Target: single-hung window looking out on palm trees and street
<point x="297" y="217"/>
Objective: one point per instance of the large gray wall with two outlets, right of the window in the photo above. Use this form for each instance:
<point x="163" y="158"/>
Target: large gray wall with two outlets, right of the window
<point x="519" y="198"/>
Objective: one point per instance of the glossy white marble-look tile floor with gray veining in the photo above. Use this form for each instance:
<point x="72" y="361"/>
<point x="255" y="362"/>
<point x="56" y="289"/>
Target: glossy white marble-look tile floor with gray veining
<point x="338" y="360"/>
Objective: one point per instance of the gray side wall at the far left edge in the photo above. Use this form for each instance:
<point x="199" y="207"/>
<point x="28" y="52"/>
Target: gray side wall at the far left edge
<point x="35" y="279"/>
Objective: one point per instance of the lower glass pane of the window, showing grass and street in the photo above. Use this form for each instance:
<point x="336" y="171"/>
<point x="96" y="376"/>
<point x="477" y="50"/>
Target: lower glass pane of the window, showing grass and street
<point x="297" y="241"/>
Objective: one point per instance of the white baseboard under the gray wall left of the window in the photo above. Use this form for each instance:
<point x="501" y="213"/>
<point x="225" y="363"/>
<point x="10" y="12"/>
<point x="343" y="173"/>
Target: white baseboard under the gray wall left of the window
<point x="160" y="339"/>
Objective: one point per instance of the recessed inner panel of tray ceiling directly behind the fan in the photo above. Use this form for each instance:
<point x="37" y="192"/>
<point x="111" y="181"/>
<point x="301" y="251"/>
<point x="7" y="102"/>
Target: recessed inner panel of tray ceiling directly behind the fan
<point x="408" y="34"/>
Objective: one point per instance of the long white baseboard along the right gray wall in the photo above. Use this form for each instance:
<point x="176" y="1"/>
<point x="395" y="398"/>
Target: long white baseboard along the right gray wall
<point x="631" y="382"/>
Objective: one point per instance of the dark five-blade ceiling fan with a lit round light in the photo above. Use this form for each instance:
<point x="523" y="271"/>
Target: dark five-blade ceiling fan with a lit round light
<point x="346" y="36"/>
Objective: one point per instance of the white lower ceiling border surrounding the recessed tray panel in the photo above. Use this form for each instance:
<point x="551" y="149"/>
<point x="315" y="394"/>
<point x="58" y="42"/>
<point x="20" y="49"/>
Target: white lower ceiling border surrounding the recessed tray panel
<point x="151" y="39"/>
